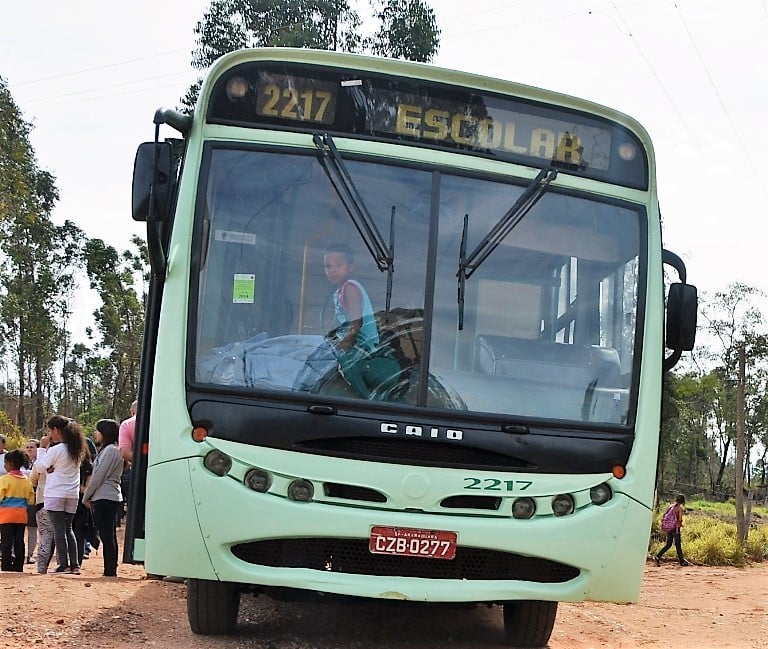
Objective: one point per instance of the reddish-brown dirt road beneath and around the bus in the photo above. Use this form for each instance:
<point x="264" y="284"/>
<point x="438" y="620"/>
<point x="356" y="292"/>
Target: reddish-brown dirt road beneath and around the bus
<point x="679" y="608"/>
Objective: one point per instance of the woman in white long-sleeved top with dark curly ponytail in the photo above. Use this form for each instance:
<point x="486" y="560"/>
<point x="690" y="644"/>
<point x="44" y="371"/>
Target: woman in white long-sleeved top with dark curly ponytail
<point x="62" y="487"/>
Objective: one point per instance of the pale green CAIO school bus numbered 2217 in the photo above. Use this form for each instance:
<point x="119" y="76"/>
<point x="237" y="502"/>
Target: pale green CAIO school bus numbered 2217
<point x="469" y="412"/>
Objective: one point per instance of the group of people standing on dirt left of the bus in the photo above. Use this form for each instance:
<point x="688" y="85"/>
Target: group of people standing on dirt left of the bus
<point x="65" y="479"/>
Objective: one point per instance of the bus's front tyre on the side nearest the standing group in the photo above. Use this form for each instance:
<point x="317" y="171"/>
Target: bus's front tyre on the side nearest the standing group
<point x="212" y="606"/>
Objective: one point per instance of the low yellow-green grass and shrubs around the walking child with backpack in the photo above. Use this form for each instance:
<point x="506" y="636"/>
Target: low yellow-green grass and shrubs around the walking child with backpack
<point x="709" y="535"/>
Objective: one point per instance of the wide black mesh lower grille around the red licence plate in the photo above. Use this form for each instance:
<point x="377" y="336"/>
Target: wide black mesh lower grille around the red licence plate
<point x="351" y="556"/>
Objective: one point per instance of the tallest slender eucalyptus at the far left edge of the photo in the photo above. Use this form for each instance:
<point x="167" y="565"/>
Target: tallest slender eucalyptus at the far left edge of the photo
<point x="38" y="261"/>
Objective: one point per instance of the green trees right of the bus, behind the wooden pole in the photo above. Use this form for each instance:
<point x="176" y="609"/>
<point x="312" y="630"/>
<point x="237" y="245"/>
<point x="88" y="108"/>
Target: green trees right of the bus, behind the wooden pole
<point x="698" y="432"/>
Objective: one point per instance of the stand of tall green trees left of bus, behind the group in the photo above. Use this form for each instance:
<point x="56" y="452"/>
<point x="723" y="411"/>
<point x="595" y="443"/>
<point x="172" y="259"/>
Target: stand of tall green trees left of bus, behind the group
<point x="40" y="267"/>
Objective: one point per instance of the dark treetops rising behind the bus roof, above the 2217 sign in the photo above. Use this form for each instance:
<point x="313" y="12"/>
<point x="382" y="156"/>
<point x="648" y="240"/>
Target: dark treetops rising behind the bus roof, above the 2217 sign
<point x="408" y="30"/>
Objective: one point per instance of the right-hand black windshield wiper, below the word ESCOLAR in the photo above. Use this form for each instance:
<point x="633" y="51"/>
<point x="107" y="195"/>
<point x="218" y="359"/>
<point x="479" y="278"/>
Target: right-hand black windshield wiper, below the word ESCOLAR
<point x="469" y="263"/>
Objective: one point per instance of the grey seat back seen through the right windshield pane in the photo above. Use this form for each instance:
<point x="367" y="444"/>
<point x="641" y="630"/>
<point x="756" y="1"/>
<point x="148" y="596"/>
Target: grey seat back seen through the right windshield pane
<point x="539" y="360"/>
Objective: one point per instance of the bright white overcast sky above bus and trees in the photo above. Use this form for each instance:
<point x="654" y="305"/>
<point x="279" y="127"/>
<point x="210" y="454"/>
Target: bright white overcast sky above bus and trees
<point x="89" y="75"/>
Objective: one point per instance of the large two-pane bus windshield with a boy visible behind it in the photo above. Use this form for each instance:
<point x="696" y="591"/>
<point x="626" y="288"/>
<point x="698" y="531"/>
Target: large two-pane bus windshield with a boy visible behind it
<point x="291" y="303"/>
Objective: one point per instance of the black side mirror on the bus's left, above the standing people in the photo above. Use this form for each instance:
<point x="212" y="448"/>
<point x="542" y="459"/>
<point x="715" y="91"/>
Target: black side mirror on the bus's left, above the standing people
<point x="152" y="172"/>
